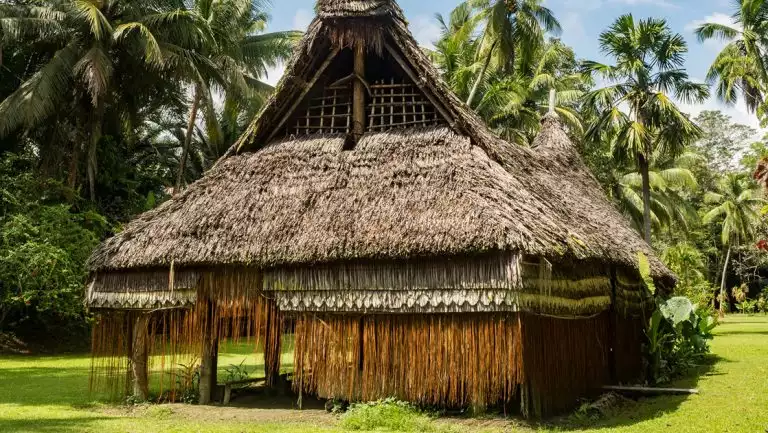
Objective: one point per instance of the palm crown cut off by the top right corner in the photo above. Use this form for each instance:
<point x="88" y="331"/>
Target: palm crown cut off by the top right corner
<point x="741" y="68"/>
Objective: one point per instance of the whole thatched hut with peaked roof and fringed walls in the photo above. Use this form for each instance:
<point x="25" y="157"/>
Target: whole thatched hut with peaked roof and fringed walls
<point x="415" y="254"/>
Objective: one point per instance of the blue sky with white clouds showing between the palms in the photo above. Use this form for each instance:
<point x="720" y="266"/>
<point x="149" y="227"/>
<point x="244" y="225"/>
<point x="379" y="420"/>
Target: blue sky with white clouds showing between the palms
<point x="582" y="22"/>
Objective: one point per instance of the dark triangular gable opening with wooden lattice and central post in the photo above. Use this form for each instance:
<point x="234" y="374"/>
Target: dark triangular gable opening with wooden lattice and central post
<point x="390" y="98"/>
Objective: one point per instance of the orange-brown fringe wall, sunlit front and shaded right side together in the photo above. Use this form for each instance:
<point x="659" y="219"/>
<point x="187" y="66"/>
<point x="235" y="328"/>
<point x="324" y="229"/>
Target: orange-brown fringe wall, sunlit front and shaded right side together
<point x="543" y="364"/>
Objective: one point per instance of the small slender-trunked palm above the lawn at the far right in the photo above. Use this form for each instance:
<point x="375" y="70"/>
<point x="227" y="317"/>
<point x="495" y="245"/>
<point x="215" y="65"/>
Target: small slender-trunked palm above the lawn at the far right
<point x="735" y="205"/>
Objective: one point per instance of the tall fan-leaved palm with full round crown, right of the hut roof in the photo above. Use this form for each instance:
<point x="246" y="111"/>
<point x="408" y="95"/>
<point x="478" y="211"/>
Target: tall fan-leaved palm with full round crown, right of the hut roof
<point x="649" y="66"/>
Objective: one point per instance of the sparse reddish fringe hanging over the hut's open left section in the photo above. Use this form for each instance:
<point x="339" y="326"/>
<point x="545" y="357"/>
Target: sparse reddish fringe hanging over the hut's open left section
<point x="175" y="337"/>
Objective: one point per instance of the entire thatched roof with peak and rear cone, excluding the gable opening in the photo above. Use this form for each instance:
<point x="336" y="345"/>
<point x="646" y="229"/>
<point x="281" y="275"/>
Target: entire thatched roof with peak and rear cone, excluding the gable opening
<point x="445" y="190"/>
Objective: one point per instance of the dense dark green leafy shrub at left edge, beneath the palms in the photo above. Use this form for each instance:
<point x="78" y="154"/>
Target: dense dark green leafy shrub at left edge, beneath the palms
<point x="44" y="245"/>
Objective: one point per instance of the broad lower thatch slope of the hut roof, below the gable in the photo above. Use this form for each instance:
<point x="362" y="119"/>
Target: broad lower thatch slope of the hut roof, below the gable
<point x="399" y="194"/>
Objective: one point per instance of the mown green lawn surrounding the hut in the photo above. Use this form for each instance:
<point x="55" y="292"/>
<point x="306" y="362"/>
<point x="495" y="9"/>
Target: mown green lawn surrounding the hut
<point x="50" y="394"/>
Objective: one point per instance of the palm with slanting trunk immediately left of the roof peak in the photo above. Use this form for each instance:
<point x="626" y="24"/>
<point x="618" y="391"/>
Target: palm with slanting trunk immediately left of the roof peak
<point x="240" y="54"/>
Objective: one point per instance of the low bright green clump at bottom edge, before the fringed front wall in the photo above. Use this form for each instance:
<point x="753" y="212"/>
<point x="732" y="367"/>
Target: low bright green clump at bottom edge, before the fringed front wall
<point x="387" y="415"/>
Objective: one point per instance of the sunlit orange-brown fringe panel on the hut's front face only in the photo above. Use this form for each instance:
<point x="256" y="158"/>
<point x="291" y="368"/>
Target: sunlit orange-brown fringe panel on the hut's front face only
<point x="448" y="360"/>
